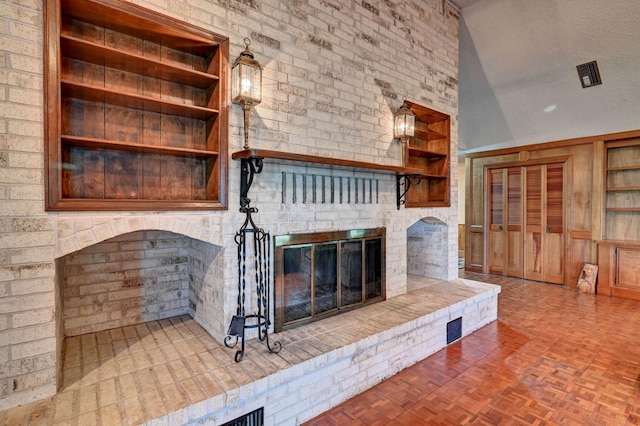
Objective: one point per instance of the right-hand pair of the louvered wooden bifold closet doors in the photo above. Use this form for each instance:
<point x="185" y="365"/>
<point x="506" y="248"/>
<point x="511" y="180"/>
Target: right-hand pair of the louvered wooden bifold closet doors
<point x="544" y="223"/>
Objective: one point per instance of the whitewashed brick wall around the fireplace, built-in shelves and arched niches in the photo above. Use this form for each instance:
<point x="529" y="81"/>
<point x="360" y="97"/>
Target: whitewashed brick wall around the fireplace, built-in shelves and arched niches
<point x="334" y="74"/>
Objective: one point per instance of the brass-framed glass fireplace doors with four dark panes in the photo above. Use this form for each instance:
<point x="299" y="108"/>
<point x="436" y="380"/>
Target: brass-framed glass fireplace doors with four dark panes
<point x="326" y="274"/>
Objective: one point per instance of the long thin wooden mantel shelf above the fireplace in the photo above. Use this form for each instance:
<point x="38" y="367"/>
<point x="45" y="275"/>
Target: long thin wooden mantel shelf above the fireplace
<point x="280" y="156"/>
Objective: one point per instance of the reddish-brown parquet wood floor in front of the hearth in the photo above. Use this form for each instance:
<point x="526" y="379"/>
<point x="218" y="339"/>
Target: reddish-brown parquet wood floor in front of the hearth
<point x="553" y="357"/>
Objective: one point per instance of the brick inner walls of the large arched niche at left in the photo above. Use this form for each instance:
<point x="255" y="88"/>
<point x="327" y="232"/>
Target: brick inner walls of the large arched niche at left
<point x="141" y="276"/>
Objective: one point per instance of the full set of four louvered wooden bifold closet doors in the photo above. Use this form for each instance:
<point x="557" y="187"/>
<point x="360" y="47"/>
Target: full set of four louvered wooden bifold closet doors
<point x="526" y="222"/>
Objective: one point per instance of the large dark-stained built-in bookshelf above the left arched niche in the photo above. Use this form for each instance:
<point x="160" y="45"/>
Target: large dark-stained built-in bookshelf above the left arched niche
<point x="136" y="110"/>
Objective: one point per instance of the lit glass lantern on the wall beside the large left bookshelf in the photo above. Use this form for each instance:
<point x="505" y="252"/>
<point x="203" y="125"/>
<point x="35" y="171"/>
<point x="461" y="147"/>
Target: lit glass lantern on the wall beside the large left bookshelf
<point x="246" y="79"/>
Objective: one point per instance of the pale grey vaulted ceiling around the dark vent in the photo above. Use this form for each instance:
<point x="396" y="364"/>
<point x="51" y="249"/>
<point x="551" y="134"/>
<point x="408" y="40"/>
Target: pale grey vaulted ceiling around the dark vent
<point x="518" y="79"/>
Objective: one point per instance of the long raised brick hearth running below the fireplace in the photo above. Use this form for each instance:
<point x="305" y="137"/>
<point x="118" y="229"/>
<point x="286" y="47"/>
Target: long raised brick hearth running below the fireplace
<point x="171" y="371"/>
